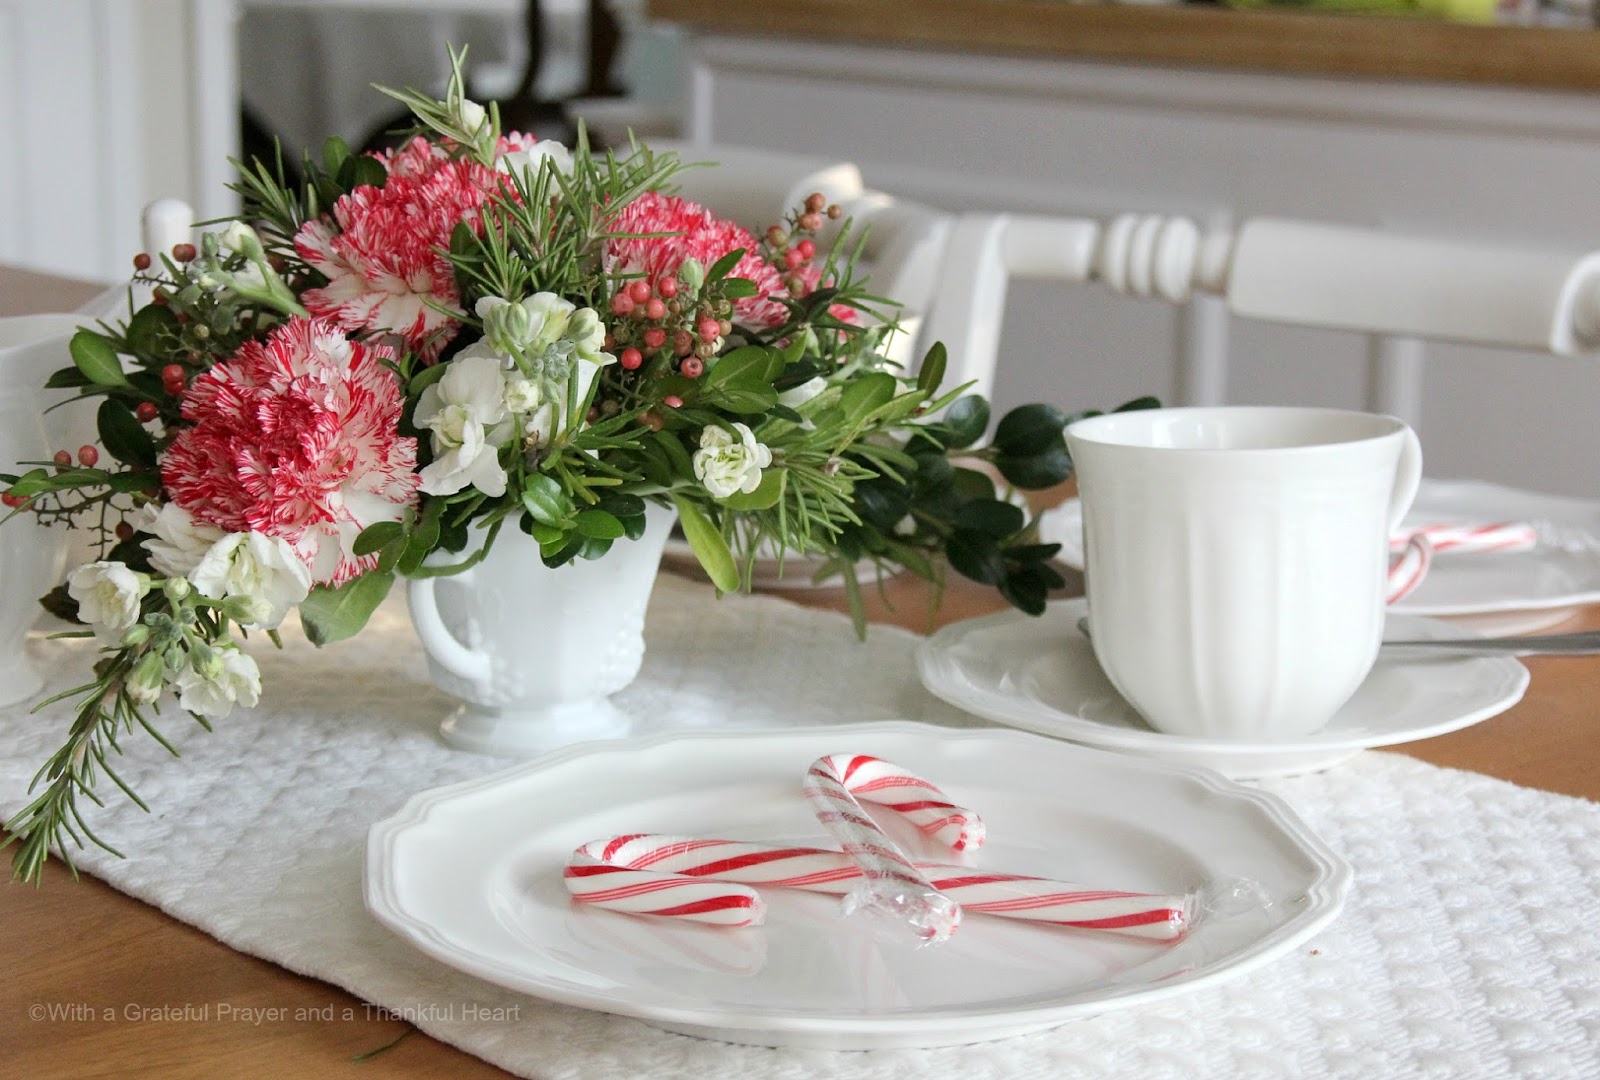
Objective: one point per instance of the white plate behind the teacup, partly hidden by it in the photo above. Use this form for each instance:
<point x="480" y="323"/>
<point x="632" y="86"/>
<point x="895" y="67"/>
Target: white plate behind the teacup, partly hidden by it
<point x="1492" y="593"/>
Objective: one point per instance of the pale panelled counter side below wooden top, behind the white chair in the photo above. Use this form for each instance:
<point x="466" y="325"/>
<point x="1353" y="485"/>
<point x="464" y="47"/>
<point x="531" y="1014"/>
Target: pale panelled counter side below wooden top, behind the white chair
<point x="975" y="132"/>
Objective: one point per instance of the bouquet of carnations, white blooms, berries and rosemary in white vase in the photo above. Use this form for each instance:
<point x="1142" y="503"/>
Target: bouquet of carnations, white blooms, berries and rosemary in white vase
<point x="377" y="370"/>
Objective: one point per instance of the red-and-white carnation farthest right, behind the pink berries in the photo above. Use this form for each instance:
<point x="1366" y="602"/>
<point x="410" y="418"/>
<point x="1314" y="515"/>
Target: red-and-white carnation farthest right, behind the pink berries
<point x="702" y="236"/>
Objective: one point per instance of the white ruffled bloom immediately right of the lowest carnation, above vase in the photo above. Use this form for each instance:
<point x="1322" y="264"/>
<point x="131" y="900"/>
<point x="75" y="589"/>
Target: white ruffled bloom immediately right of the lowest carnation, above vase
<point x="466" y="412"/>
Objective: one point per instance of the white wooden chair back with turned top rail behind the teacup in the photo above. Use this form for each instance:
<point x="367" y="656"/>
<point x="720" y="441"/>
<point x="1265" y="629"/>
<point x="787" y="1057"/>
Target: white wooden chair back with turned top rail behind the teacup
<point x="1401" y="290"/>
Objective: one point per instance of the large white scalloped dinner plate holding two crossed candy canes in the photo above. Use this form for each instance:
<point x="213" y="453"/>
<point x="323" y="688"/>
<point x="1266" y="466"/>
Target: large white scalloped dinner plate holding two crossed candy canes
<point x="473" y="876"/>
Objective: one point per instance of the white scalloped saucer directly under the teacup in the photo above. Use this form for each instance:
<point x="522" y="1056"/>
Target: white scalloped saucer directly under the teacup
<point x="1042" y="676"/>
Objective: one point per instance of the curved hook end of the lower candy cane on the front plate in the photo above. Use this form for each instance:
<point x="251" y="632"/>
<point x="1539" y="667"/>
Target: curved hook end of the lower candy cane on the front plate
<point x="598" y="876"/>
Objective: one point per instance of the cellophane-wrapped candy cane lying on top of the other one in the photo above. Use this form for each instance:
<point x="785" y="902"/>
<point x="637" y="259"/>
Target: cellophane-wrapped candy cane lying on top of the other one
<point x="889" y="882"/>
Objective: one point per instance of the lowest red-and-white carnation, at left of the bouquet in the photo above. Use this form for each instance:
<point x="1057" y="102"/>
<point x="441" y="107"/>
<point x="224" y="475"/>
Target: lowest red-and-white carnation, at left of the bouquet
<point x="297" y="438"/>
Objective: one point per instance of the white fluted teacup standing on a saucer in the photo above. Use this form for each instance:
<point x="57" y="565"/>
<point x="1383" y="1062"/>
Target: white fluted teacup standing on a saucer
<point x="1236" y="559"/>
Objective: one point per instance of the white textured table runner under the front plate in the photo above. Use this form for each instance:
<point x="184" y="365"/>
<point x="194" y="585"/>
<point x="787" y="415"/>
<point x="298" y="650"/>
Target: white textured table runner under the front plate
<point x="1471" y="945"/>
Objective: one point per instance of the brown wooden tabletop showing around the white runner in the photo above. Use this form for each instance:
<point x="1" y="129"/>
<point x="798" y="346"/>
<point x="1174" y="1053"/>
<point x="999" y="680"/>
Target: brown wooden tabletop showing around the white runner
<point x="98" y="985"/>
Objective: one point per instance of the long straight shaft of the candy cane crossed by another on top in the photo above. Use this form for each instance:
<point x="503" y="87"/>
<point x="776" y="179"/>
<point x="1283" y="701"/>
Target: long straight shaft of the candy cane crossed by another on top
<point x="737" y="865"/>
